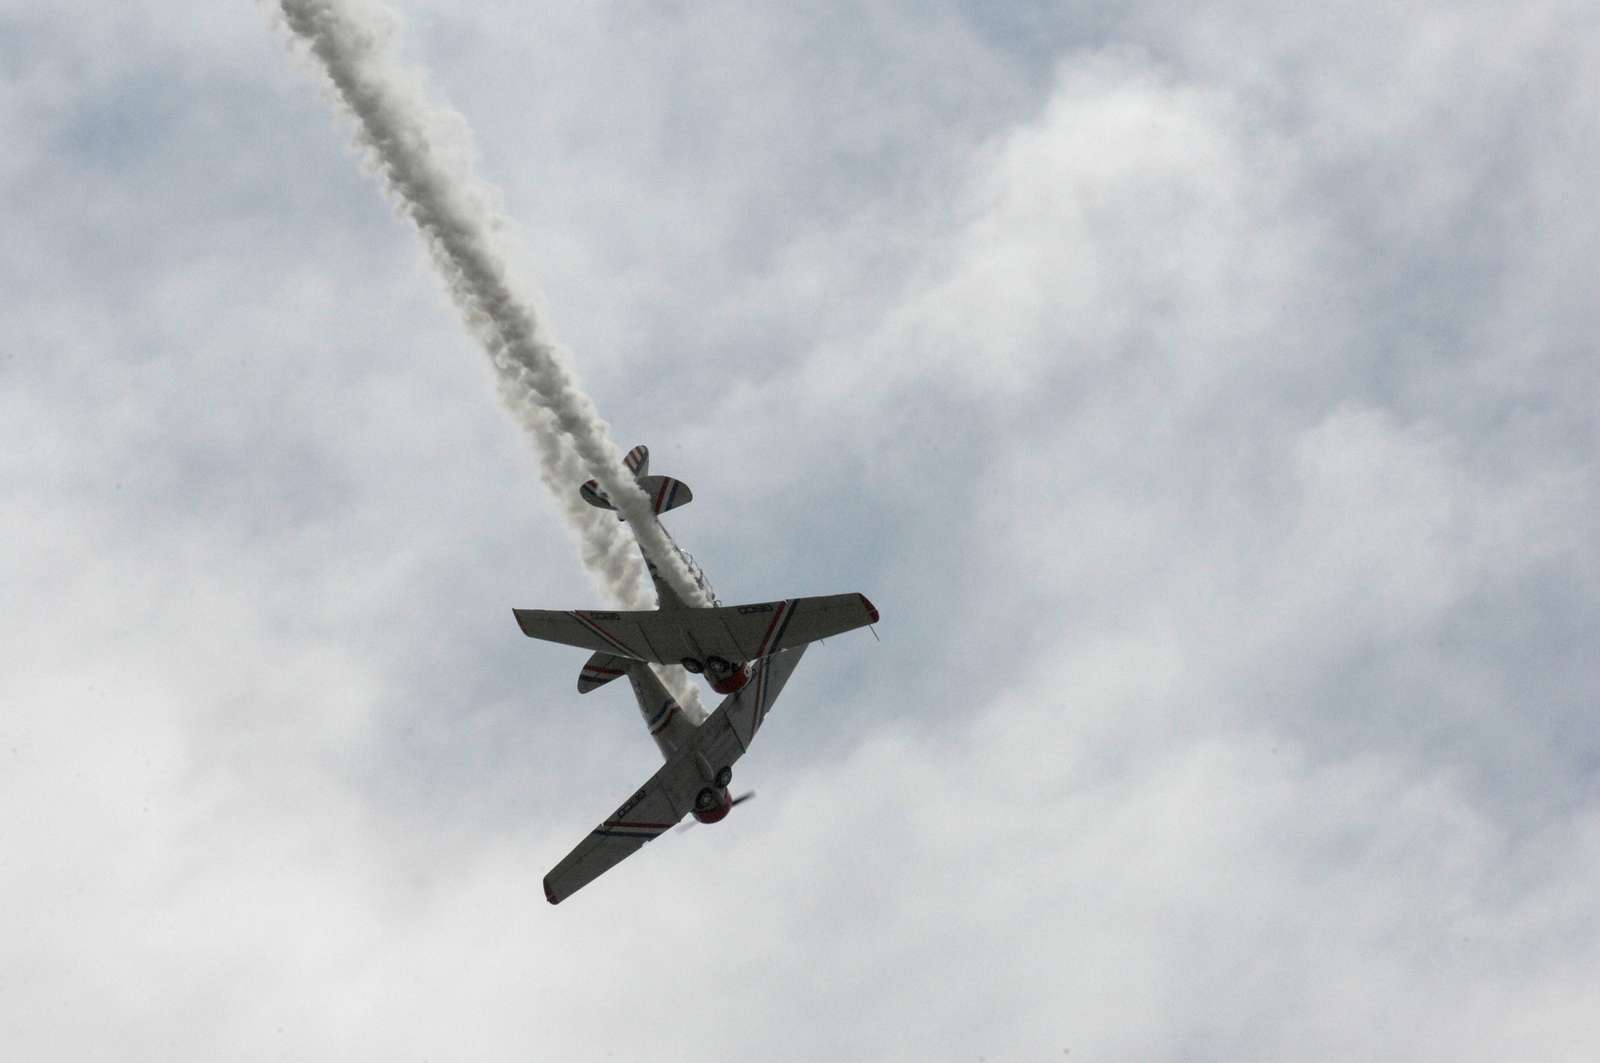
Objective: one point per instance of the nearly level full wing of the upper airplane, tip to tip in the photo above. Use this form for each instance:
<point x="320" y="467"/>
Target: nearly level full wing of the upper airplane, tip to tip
<point x="737" y="633"/>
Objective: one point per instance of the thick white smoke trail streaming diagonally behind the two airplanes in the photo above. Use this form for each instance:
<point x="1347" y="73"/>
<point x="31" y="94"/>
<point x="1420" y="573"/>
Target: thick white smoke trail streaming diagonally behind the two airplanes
<point x="422" y="153"/>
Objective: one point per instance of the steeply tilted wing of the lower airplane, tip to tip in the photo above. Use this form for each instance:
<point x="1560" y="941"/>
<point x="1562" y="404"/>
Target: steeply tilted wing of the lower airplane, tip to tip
<point x="670" y="795"/>
